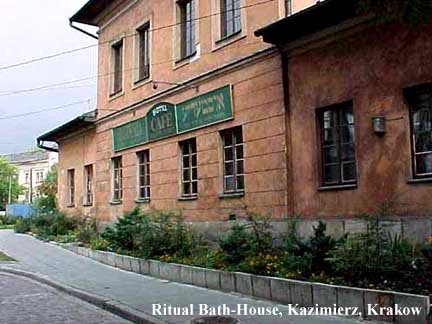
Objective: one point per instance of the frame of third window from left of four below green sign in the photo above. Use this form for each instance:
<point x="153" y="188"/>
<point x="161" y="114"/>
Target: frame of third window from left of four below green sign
<point x="192" y="164"/>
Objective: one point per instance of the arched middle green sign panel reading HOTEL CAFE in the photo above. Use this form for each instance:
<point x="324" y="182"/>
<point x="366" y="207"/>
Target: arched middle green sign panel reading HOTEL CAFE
<point x="161" y="121"/>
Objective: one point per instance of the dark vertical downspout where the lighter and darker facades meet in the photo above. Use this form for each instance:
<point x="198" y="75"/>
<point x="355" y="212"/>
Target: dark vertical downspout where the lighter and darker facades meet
<point x="288" y="138"/>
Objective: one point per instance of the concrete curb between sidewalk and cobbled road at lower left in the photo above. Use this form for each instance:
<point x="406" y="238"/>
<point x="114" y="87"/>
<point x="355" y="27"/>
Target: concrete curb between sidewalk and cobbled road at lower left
<point x="104" y="303"/>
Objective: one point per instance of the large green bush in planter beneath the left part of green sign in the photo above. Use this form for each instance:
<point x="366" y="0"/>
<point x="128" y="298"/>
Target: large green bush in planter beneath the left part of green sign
<point x="152" y="234"/>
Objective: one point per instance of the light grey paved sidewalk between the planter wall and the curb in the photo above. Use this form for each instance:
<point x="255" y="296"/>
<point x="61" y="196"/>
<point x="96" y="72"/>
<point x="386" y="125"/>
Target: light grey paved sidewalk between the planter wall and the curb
<point x="134" y="290"/>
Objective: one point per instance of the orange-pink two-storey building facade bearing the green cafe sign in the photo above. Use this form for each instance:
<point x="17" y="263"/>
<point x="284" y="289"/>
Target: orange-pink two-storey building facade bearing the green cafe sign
<point x="190" y="112"/>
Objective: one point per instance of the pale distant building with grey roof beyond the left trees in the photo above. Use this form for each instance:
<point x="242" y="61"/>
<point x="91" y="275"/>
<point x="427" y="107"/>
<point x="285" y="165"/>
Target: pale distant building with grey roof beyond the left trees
<point x="32" y="170"/>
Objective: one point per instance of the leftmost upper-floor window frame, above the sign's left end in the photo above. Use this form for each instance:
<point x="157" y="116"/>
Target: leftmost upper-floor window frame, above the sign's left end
<point x="117" y="46"/>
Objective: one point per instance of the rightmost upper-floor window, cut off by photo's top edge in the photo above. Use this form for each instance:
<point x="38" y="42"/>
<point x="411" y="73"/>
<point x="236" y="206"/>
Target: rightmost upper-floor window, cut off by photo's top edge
<point x="230" y="17"/>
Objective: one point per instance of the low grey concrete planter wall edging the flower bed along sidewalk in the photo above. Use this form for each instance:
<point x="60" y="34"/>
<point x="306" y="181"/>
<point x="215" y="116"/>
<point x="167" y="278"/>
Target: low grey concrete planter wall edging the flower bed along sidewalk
<point x="279" y="290"/>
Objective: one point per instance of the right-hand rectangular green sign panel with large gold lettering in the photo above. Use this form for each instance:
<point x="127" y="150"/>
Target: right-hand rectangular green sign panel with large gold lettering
<point x="204" y="110"/>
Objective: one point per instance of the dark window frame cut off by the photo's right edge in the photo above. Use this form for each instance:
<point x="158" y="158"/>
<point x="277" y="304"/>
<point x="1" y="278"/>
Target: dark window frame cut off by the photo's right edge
<point x="410" y="94"/>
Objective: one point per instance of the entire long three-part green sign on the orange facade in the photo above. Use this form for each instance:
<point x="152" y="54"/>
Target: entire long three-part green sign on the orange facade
<point x="165" y="119"/>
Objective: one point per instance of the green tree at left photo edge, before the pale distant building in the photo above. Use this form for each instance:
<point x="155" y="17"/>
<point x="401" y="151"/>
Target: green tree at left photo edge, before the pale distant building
<point x="8" y="182"/>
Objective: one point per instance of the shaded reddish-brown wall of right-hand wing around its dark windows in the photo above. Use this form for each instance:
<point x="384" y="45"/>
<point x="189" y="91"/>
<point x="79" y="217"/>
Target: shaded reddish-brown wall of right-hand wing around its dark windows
<point x="371" y="69"/>
